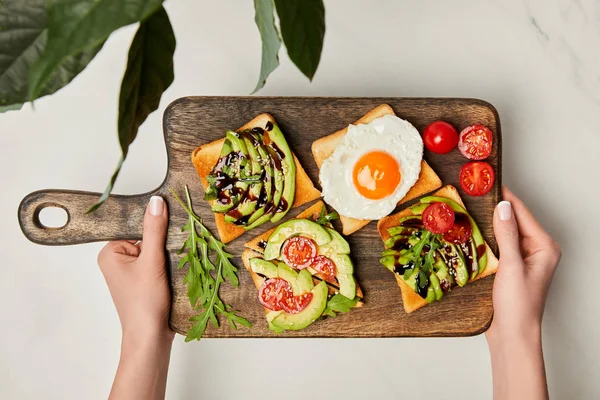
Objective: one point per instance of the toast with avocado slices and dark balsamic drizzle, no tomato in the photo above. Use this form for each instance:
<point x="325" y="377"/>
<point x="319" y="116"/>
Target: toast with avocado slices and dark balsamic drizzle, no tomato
<point x="251" y="177"/>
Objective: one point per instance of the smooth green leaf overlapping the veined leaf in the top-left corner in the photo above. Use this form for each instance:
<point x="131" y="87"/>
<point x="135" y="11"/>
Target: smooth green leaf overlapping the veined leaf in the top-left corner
<point x="75" y="26"/>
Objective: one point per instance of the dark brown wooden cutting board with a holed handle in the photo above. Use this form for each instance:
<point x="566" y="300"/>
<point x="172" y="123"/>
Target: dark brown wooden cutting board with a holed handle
<point x="191" y="121"/>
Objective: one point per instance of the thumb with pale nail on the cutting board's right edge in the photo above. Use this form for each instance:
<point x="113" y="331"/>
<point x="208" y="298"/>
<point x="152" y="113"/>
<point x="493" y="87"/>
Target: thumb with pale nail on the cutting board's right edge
<point x="506" y="231"/>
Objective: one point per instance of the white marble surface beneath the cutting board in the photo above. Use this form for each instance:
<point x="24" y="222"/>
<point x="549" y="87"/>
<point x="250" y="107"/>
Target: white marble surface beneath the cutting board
<point x="537" y="61"/>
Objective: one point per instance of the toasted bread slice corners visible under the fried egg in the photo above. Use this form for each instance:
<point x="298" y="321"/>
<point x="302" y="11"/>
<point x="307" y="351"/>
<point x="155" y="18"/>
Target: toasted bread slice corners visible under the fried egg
<point x="322" y="148"/>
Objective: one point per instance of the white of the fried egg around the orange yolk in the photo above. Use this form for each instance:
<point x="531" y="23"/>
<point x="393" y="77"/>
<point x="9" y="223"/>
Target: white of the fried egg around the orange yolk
<point x="391" y="134"/>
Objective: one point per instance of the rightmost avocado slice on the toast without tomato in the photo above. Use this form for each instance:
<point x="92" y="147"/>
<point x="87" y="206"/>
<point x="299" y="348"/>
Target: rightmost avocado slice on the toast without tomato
<point x="275" y="139"/>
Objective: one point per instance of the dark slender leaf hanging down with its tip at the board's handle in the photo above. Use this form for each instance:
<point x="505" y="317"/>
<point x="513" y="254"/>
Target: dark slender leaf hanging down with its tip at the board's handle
<point x="149" y="73"/>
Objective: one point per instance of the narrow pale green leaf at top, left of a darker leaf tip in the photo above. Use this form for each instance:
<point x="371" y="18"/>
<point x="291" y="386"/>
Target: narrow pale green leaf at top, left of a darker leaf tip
<point x="265" y="21"/>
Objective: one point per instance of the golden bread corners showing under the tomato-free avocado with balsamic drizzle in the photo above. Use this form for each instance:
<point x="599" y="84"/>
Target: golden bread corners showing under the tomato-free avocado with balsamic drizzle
<point x="206" y="156"/>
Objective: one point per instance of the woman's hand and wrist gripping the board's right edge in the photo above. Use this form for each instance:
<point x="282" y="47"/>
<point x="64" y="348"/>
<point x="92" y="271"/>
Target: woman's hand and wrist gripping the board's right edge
<point x="528" y="259"/>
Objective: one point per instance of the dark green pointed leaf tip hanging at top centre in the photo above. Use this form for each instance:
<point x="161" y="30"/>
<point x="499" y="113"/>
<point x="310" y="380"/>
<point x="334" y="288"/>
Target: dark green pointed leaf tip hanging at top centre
<point x="302" y="24"/>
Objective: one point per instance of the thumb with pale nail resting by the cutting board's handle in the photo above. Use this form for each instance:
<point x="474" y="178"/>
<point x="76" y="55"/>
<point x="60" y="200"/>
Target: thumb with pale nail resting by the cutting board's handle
<point x="155" y="229"/>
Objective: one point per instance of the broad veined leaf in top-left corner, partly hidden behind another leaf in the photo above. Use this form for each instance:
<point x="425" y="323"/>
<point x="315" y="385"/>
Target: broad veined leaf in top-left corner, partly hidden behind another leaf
<point x="23" y="33"/>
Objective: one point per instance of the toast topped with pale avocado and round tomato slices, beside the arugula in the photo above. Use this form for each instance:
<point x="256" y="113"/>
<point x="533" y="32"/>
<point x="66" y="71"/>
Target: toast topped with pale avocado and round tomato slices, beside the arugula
<point x="302" y="271"/>
